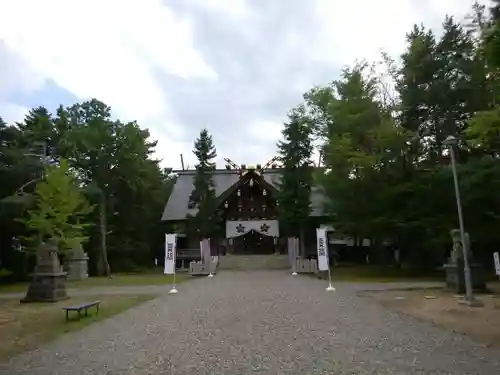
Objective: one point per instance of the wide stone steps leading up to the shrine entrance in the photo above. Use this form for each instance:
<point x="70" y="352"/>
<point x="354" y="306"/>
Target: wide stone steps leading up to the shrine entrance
<point x="253" y="262"/>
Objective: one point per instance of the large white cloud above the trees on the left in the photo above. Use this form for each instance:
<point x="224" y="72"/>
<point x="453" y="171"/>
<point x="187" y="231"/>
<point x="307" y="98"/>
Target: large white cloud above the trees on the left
<point x="111" y="50"/>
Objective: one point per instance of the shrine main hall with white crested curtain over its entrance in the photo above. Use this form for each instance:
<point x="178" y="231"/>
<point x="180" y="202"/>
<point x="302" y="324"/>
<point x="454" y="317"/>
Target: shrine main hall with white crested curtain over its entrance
<point x="246" y="198"/>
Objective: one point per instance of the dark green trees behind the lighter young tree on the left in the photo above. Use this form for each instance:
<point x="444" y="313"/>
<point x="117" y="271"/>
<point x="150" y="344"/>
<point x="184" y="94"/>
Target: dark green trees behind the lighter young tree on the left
<point x="111" y="163"/>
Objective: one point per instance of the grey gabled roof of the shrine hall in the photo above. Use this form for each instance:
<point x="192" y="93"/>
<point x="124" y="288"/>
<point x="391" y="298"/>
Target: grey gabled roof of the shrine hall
<point x="177" y="205"/>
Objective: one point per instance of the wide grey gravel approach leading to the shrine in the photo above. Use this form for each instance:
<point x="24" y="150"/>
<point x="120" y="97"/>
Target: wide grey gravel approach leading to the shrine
<point x="259" y="323"/>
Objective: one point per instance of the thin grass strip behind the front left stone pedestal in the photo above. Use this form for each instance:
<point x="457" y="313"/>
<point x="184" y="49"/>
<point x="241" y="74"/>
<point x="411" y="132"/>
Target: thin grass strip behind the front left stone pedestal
<point x="117" y="280"/>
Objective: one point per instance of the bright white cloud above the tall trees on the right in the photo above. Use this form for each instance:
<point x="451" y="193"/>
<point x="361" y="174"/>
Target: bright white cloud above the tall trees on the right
<point x="353" y="30"/>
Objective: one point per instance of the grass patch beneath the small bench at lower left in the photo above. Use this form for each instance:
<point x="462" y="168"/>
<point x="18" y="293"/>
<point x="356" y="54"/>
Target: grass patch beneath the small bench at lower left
<point x="27" y="326"/>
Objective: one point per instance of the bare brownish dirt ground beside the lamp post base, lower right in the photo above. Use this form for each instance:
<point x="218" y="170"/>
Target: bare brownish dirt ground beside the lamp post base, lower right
<point x="443" y="308"/>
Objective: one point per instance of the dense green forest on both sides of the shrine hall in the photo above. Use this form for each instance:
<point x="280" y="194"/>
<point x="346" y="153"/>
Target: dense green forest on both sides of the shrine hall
<point x="381" y="135"/>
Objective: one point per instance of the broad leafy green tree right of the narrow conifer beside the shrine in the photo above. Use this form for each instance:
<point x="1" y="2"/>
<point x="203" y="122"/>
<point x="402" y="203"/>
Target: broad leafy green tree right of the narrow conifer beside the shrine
<point x="363" y="154"/>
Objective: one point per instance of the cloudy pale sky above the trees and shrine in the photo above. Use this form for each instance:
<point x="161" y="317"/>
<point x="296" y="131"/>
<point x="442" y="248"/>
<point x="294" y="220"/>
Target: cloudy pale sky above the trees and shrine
<point x="235" y="67"/>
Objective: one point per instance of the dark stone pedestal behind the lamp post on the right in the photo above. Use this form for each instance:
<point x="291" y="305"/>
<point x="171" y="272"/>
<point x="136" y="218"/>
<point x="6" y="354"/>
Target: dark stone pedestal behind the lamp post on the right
<point x="455" y="277"/>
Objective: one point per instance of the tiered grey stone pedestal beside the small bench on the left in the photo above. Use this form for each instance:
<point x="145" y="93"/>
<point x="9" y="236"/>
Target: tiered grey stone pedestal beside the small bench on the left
<point x="49" y="280"/>
